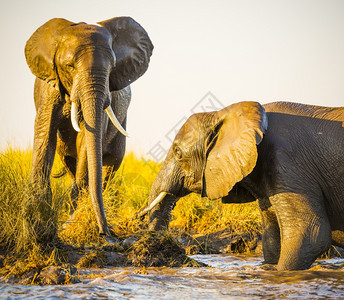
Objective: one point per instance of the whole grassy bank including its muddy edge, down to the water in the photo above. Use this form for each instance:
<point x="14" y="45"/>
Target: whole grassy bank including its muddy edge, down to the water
<point x="29" y="220"/>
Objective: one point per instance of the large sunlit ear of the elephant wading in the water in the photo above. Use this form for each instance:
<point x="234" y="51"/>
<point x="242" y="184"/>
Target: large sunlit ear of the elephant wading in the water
<point x="233" y="150"/>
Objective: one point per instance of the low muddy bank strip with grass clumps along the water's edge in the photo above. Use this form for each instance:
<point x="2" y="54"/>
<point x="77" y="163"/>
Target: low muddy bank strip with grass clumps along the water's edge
<point x="150" y="250"/>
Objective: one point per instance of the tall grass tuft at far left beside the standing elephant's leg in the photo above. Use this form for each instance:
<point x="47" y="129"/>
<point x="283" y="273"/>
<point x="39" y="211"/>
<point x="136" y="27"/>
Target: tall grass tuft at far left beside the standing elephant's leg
<point x="29" y="216"/>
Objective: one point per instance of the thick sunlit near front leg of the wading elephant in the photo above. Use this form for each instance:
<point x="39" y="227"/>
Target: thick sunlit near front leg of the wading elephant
<point x="305" y="229"/>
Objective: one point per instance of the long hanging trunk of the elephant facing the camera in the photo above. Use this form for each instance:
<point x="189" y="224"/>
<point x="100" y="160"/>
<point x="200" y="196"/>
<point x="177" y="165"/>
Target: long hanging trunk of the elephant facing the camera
<point x="92" y="107"/>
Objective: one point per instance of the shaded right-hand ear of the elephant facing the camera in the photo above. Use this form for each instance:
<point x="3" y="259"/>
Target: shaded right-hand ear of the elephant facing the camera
<point x="132" y="48"/>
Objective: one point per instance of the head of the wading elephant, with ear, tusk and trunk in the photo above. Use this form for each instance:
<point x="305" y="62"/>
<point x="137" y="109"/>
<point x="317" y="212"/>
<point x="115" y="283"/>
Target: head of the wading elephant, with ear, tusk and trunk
<point x="209" y="155"/>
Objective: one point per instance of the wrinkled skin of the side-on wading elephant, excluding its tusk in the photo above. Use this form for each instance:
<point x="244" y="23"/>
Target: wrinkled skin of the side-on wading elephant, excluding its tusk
<point x="288" y="156"/>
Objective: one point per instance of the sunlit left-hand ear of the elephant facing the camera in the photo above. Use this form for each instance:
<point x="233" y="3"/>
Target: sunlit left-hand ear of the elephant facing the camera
<point x="40" y="50"/>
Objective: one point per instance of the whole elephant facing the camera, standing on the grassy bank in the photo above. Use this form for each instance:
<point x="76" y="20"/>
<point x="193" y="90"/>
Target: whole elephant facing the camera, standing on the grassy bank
<point x="83" y="74"/>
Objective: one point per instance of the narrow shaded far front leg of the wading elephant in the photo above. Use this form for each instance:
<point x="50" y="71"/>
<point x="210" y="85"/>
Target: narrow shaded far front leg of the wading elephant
<point x="271" y="238"/>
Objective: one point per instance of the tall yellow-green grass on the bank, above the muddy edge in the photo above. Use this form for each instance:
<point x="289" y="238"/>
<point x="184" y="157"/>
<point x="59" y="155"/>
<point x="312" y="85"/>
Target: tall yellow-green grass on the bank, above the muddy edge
<point x="29" y="217"/>
